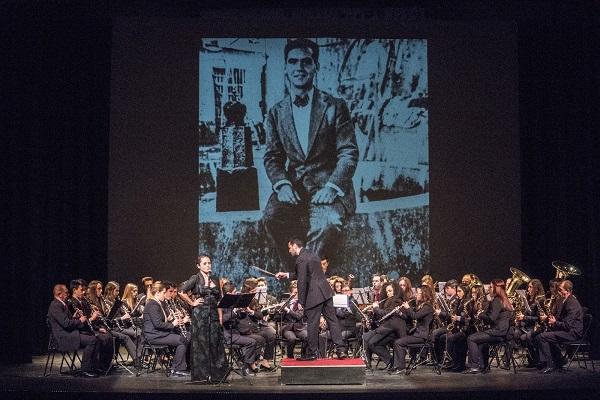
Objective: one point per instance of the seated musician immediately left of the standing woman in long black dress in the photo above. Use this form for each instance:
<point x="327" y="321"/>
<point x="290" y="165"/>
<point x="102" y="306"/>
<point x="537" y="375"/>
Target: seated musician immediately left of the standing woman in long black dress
<point x="160" y="328"/>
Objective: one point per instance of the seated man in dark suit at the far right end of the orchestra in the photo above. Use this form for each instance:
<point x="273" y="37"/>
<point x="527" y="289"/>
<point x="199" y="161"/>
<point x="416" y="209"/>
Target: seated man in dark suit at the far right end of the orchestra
<point x="566" y="325"/>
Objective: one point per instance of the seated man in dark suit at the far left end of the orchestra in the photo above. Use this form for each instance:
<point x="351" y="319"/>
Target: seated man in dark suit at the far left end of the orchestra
<point x="68" y="330"/>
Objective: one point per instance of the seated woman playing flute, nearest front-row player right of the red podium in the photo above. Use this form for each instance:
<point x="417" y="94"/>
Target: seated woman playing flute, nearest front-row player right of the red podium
<point x="393" y="327"/>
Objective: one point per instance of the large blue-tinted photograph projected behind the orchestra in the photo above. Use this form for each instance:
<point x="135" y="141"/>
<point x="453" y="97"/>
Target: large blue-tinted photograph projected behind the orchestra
<point x="325" y="139"/>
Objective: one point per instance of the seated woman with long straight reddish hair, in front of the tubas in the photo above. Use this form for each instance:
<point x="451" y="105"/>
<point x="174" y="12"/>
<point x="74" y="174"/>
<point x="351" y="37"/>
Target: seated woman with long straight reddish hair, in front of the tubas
<point x="498" y="315"/>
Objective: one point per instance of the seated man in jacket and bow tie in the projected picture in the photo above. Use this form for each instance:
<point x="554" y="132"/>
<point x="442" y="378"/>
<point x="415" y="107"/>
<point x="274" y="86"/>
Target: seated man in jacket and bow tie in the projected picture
<point x="310" y="159"/>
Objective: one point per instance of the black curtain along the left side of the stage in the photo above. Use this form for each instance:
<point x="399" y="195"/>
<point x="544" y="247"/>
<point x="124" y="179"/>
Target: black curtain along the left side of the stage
<point x="58" y="83"/>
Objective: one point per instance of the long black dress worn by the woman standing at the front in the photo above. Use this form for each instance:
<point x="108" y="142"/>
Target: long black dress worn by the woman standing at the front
<point x="208" y="351"/>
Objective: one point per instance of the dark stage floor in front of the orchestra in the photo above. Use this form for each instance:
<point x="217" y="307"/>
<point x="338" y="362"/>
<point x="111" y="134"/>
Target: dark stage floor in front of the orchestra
<point x="27" y="381"/>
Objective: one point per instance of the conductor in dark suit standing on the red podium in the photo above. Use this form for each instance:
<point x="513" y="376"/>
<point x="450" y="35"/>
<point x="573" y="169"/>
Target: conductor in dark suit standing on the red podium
<point x="316" y="297"/>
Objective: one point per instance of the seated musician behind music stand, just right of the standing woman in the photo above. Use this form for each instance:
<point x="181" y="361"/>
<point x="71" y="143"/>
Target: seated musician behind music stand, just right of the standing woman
<point x="250" y="343"/>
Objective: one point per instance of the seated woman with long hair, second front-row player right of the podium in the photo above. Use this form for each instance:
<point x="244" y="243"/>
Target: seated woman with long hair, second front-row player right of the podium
<point x="423" y="314"/>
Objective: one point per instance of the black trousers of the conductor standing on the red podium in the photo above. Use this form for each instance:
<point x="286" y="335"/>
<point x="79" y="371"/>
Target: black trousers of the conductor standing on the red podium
<point x="313" y="316"/>
